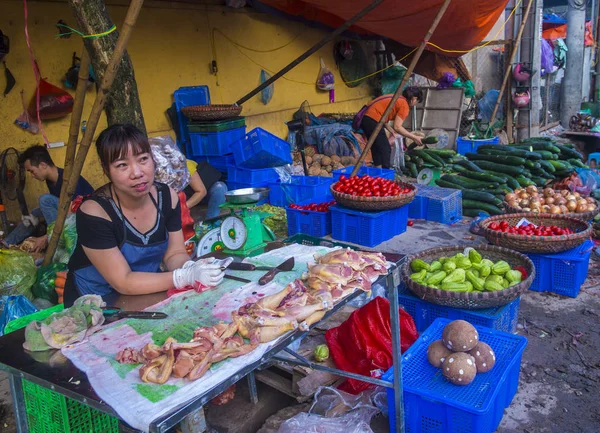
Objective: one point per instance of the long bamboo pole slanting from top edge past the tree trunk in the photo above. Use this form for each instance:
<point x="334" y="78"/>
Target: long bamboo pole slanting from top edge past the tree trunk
<point x="111" y="70"/>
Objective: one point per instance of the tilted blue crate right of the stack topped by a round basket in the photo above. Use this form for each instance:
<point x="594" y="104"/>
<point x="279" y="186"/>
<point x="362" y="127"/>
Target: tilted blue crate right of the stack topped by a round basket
<point x="261" y="149"/>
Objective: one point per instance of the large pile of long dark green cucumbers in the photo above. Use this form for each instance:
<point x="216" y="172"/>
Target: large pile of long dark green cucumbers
<point x="495" y="170"/>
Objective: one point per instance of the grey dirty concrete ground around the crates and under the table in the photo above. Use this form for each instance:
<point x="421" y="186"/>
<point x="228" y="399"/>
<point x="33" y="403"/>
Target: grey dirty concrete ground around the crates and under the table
<point x="560" y="370"/>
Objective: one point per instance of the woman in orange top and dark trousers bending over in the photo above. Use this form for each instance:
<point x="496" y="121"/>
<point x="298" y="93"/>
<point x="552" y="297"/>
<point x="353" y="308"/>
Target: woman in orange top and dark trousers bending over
<point x="381" y="149"/>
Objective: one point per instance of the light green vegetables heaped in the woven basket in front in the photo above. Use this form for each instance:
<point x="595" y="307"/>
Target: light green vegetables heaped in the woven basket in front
<point x="466" y="273"/>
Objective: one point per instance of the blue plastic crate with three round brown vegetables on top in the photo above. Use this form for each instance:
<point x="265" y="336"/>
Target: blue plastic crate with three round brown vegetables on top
<point x="432" y="404"/>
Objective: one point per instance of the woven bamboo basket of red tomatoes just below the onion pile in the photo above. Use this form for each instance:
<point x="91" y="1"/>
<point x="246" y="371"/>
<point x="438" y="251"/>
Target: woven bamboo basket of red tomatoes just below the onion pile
<point x="537" y="244"/>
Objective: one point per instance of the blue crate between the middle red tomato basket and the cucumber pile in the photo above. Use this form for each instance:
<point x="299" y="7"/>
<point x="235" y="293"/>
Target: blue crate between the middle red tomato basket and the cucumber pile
<point x="432" y="203"/>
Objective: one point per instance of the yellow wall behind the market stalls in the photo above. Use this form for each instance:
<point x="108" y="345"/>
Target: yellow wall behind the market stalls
<point x="170" y="47"/>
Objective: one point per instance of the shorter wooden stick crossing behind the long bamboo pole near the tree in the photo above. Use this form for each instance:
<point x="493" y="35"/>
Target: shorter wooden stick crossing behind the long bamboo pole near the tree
<point x="78" y="103"/>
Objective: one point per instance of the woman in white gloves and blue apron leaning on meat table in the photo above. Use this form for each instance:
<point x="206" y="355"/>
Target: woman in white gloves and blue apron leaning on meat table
<point x="131" y="225"/>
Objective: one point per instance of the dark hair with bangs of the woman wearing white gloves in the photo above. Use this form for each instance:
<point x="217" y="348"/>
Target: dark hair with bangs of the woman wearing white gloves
<point x="113" y="143"/>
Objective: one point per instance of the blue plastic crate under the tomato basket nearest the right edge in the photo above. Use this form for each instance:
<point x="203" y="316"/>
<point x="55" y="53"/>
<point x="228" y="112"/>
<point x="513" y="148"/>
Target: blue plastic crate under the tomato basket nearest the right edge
<point x="562" y="273"/>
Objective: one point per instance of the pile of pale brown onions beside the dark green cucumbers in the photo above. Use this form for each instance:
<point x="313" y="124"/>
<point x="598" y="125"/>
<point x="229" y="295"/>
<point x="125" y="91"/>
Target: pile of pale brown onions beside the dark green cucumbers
<point x="549" y="201"/>
